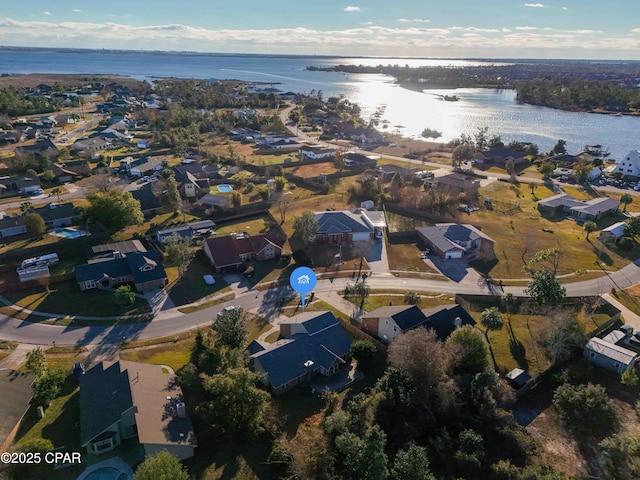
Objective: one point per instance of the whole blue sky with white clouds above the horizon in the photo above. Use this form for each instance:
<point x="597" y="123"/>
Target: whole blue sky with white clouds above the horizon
<point x="573" y="29"/>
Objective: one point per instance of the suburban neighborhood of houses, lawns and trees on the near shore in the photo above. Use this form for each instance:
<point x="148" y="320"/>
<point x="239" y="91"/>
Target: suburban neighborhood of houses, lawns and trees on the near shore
<point x="471" y="296"/>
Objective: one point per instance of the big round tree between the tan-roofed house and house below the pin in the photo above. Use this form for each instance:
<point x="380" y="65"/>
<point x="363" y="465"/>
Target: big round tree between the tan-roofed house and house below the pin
<point x="237" y="406"/>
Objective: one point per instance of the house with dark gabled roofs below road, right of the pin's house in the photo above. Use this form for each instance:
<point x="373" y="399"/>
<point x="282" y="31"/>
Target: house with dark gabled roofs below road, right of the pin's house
<point x="386" y="323"/>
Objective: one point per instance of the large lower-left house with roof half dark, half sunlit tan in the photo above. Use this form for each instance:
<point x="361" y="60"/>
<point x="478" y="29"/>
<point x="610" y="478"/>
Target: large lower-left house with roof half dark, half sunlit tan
<point x="129" y="400"/>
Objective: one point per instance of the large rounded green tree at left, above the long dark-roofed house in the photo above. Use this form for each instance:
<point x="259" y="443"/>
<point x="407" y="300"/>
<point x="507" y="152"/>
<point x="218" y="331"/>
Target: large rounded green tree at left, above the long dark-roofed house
<point x="115" y="209"/>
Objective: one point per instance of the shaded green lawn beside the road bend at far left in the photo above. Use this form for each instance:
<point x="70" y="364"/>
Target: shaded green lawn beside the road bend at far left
<point x="66" y="298"/>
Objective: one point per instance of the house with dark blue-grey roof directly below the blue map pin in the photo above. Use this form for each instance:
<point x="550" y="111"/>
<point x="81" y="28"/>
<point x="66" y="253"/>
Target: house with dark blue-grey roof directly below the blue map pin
<point x="313" y="344"/>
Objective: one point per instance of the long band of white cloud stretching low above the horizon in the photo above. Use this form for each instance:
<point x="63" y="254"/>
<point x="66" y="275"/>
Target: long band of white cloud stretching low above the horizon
<point x="369" y="40"/>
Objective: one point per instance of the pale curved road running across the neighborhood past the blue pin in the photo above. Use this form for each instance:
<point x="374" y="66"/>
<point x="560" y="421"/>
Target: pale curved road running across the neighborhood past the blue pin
<point x="265" y="303"/>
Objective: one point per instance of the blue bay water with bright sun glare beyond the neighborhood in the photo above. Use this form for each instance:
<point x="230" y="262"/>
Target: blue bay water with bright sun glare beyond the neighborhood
<point x="403" y="111"/>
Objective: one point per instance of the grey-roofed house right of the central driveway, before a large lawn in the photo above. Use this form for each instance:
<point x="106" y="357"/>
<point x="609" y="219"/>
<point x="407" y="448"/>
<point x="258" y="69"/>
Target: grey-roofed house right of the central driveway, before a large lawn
<point x="453" y="240"/>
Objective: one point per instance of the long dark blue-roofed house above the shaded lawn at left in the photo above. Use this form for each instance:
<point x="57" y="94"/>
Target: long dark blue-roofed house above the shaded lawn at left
<point x="144" y="270"/>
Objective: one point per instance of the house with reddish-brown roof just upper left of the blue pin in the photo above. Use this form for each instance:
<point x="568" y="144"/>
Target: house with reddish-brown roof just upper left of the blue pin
<point x="230" y="251"/>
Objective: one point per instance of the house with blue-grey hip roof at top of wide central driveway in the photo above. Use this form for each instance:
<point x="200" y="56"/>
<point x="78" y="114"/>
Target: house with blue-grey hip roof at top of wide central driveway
<point x="347" y="226"/>
